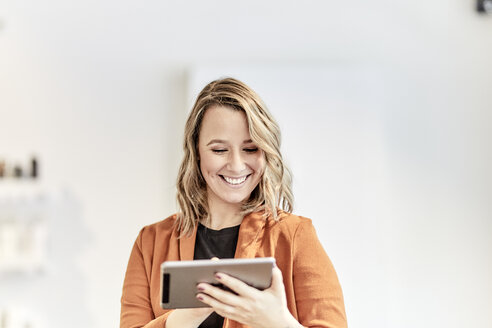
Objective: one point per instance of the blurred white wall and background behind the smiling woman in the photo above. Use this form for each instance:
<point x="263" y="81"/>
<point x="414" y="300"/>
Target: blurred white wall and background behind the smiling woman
<point x="385" y="109"/>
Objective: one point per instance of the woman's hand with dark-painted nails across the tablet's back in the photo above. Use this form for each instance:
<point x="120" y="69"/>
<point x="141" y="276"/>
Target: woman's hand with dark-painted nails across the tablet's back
<point x="252" y="307"/>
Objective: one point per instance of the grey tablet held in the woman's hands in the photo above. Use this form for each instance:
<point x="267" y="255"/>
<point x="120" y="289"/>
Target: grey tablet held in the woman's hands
<point x="179" y="278"/>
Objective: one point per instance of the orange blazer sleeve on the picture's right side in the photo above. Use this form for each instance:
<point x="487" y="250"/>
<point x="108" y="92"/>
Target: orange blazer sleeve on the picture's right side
<point x="318" y="294"/>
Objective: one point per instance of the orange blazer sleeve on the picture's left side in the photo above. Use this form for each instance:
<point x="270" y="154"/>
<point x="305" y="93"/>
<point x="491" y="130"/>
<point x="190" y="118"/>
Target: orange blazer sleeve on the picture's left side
<point x="136" y="307"/>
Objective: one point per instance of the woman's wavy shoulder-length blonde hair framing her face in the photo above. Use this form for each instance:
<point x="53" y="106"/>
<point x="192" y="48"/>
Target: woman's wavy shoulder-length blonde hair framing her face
<point x="274" y="190"/>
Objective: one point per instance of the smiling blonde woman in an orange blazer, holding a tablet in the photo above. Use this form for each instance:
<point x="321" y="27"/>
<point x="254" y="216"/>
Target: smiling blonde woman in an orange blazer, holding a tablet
<point x="234" y="193"/>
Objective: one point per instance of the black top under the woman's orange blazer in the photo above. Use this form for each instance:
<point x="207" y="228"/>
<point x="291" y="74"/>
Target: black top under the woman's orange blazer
<point x="215" y="243"/>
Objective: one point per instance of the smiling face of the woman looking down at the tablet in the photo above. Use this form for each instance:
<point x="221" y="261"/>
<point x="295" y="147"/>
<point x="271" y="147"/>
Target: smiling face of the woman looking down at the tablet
<point x="230" y="162"/>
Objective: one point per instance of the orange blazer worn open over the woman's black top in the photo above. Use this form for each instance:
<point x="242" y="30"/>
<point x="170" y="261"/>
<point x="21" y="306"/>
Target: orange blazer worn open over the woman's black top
<point x="314" y="295"/>
